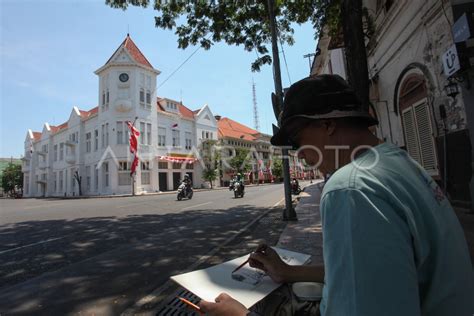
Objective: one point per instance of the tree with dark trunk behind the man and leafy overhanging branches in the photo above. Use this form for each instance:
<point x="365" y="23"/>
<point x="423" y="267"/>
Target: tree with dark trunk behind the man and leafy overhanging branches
<point x="246" y="23"/>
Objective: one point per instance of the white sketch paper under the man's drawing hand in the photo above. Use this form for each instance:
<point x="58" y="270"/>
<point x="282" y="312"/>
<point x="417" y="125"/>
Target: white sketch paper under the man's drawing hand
<point x="209" y="283"/>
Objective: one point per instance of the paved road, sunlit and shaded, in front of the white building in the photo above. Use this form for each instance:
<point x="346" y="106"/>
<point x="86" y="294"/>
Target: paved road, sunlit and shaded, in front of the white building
<point x="101" y="255"/>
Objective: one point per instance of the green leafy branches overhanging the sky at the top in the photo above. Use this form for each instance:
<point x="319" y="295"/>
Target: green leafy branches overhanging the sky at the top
<point x="240" y="23"/>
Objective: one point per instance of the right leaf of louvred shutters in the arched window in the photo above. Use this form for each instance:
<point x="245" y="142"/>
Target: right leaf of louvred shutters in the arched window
<point x="427" y="148"/>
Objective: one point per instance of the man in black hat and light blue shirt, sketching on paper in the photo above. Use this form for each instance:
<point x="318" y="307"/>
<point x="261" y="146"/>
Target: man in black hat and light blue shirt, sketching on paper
<point x="392" y="242"/>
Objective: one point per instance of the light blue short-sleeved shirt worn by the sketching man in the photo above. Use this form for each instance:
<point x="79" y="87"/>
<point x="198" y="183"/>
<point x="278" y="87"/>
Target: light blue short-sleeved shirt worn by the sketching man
<point x="392" y="242"/>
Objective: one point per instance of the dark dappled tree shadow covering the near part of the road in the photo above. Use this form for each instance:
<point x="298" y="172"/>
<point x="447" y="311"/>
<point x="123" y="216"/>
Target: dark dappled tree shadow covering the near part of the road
<point x="106" y="263"/>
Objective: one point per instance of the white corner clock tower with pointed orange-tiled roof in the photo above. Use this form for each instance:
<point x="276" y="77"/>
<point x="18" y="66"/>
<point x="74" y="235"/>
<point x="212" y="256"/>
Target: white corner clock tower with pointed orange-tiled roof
<point x="127" y="92"/>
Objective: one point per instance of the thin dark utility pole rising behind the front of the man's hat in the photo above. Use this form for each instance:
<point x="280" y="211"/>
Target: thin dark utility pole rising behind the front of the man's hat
<point x="289" y="213"/>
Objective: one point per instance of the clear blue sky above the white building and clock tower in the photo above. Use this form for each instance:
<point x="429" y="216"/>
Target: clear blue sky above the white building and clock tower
<point x="50" y="50"/>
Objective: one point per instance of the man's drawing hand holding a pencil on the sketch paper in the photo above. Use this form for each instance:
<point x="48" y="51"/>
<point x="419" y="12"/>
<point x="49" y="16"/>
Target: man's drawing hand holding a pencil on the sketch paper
<point x="268" y="260"/>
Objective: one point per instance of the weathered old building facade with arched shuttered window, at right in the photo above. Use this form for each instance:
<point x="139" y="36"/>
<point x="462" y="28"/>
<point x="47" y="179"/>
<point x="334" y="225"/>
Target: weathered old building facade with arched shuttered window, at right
<point x="408" y="85"/>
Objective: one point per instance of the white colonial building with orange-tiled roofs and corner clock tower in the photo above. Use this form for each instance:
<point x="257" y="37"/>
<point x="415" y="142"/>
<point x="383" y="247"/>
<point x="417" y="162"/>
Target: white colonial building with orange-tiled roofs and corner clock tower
<point x="93" y="145"/>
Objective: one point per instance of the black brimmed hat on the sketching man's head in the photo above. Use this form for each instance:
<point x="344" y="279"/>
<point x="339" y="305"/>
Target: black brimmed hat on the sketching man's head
<point x="316" y="98"/>
